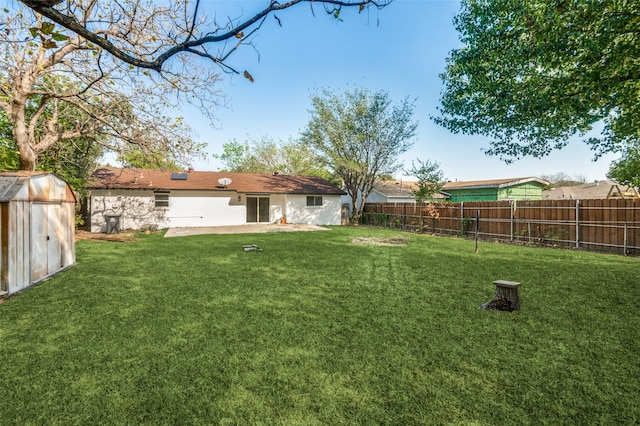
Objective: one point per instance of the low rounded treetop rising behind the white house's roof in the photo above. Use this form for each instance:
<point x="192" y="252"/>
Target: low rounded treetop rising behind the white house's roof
<point x="270" y="156"/>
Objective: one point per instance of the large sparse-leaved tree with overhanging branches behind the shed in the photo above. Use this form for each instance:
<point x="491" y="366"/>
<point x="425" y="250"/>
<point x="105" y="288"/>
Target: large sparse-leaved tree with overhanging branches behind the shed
<point x="92" y="42"/>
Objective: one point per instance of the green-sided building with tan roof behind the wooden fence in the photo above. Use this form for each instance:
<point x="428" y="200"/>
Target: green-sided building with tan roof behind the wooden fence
<point x="529" y="188"/>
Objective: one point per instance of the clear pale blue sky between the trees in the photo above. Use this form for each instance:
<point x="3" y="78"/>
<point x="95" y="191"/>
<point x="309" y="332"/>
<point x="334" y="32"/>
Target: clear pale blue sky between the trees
<point x="401" y="49"/>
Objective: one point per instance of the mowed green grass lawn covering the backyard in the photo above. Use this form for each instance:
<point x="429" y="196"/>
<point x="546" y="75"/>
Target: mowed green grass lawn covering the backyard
<point x="316" y="329"/>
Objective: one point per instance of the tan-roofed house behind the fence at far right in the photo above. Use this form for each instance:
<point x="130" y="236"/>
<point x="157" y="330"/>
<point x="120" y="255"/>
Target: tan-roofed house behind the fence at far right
<point x="589" y="191"/>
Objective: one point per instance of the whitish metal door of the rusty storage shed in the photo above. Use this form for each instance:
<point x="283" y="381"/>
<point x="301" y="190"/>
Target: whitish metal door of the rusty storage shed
<point x="46" y="249"/>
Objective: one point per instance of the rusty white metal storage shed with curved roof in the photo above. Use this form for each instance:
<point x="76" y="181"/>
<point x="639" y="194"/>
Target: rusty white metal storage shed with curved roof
<point x="37" y="228"/>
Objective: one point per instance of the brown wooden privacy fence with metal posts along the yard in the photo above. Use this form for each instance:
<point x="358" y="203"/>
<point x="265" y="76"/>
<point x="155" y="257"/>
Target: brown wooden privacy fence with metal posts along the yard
<point x="611" y="225"/>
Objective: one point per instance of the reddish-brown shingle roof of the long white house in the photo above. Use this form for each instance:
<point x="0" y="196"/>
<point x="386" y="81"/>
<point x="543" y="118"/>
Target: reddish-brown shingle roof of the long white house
<point x="117" y="178"/>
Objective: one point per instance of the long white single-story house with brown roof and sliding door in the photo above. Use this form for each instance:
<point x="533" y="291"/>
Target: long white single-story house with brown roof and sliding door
<point x="142" y="199"/>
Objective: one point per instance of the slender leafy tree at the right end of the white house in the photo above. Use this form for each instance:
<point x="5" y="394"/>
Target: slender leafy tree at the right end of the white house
<point x="360" y="135"/>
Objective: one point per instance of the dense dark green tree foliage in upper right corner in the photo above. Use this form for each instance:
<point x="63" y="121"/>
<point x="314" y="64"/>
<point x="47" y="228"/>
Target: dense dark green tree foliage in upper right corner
<point x="532" y="74"/>
